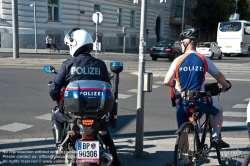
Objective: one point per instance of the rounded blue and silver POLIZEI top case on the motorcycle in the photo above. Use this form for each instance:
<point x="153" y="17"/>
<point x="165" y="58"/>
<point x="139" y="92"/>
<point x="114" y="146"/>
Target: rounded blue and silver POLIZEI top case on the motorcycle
<point x="88" y="96"/>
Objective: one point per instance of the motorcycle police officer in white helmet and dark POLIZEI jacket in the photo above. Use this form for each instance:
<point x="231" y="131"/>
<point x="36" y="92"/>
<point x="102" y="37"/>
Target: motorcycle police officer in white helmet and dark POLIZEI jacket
<point x="80" y="45"/>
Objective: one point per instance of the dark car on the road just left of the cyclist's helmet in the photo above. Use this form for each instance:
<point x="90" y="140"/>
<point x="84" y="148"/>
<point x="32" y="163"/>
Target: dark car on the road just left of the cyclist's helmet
<point x="165" y="49"/>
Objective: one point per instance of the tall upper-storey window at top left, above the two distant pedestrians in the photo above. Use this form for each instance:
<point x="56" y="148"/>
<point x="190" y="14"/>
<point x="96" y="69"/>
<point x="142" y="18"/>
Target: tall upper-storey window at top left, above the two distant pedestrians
<point x="53" y="10"/>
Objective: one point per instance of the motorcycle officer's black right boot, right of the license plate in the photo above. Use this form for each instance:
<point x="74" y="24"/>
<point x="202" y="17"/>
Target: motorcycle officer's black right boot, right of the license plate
<point x="109" y="142"/>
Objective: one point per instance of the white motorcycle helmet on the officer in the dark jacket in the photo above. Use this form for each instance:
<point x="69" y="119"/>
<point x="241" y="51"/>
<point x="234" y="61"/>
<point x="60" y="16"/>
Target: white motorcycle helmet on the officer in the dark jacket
<point x="79" y="41"/>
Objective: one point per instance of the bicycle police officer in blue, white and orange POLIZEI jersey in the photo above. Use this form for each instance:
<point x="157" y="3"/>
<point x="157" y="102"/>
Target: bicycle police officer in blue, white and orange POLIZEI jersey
<point x="187" y="75"/>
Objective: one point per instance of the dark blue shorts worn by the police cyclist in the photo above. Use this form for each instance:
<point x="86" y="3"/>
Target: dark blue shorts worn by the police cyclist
<point x="182" y="112"/>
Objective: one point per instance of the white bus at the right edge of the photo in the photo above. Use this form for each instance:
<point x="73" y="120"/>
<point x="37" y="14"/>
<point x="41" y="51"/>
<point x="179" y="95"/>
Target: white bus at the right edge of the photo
<point x="234" y="37"/>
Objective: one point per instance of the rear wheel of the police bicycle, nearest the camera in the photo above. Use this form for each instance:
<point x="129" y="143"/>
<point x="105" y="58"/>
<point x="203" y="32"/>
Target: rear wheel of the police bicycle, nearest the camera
<point x="186" y="146"/>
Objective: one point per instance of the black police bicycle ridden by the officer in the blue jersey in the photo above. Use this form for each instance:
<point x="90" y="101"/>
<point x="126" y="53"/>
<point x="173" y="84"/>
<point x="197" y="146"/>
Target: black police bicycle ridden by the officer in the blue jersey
<point x="189" y="153"/>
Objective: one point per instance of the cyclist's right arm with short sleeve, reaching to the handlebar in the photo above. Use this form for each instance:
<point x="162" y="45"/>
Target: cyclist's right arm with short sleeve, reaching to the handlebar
<point x="212" y="69"/>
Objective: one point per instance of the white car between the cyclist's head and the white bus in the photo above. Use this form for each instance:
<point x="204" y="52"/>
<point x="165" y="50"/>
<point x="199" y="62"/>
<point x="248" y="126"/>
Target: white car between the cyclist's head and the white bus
<point x="209" y="49"/>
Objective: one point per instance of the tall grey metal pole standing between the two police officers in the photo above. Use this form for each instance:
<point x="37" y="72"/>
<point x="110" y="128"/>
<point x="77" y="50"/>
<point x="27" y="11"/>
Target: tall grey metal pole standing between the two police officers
<point x="140" y="94"/>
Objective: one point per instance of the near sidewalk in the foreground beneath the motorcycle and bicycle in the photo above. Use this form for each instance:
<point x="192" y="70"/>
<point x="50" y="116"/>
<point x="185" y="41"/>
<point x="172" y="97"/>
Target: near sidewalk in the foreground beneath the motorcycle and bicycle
<point x="157" y="151"/>
